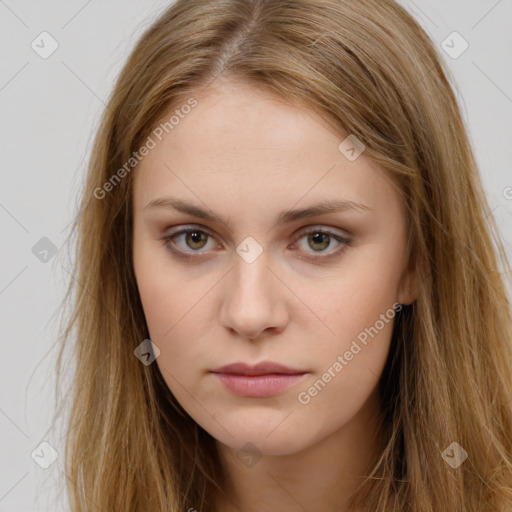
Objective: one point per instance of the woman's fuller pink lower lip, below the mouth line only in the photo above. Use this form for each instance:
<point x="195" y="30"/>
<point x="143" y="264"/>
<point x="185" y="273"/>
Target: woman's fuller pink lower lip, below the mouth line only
<point x="258" y="386"/>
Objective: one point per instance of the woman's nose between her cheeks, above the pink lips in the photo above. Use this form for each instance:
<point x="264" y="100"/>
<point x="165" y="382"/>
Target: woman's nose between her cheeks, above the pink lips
<point x="254" y="299"/>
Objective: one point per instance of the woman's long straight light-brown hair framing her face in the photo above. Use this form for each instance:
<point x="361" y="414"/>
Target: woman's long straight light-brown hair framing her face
<point x="371" y="71"/>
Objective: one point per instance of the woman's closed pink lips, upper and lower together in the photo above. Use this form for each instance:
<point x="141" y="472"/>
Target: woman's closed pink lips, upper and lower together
<point x="257" y="381"/>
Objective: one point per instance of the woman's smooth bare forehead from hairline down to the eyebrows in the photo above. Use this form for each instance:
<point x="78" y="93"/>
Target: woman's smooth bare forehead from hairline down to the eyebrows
<point x="246" y="145"/>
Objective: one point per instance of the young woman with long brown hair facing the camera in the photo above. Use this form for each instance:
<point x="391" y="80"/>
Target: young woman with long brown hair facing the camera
<point x="289" y="297"/>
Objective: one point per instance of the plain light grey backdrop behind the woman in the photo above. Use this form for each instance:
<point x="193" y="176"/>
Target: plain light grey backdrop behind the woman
<point x="49" y="109"/>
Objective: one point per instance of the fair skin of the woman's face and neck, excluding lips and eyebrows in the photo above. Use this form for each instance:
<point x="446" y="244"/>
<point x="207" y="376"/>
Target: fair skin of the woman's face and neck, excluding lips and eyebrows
<point x="248" y="155"/>
